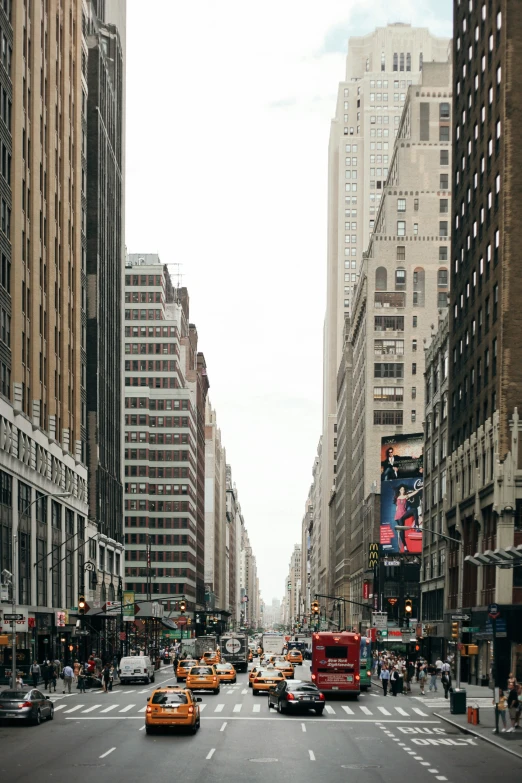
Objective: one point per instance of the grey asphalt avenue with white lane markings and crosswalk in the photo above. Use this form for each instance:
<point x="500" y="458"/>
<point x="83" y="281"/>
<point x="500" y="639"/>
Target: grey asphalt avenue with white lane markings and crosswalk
<point x="97" y="736"/>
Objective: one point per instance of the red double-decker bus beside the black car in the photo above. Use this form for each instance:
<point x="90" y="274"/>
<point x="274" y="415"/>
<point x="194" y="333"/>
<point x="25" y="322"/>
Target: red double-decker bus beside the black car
<point x="336" y="662"/>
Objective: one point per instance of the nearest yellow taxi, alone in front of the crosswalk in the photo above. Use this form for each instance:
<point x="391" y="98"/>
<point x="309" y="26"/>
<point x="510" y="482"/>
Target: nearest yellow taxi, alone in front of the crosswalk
<point x="170" y="707"/>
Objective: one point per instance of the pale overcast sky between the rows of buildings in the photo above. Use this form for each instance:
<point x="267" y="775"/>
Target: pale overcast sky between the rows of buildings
<point x="228" y="114"/>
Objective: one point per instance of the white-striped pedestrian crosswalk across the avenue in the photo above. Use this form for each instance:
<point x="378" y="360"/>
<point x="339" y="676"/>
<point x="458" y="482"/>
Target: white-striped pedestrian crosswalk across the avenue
<point x="245" y="708"/>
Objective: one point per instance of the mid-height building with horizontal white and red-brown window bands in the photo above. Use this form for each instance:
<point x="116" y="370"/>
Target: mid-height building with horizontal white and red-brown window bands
<point x="165" y="395"/>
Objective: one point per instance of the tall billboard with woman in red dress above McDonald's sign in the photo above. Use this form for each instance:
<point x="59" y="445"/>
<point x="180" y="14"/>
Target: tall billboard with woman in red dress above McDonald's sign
<point x="401" y="493"/>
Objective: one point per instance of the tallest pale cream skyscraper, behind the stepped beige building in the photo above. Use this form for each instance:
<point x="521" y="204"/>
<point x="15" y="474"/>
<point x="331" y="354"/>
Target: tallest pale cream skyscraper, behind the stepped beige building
<point x="379" y="69"/>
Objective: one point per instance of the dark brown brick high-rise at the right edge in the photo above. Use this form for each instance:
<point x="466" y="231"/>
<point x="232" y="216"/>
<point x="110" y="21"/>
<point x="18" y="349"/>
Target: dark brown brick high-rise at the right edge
<point x="484" y="499"/>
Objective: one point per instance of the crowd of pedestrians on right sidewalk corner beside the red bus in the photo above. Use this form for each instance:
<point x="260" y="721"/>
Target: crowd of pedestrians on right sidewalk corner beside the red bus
<point x="397" y="673"/>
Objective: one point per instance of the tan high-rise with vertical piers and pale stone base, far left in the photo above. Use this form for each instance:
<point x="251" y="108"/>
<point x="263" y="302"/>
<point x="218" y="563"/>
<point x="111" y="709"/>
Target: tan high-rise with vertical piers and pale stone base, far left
<point x="43" y="117"/>
